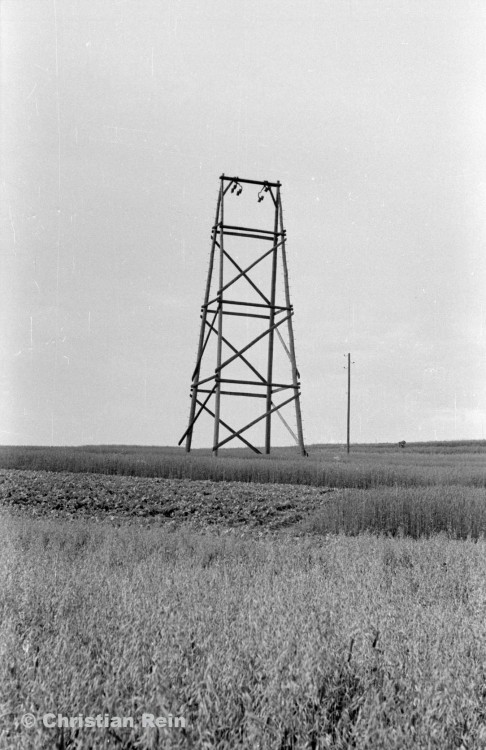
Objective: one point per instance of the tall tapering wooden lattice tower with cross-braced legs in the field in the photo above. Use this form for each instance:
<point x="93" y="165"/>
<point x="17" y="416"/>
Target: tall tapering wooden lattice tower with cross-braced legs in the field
<point x="207" y="390"/>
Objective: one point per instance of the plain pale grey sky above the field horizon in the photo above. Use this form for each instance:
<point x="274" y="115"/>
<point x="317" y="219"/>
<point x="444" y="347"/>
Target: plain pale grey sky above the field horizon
<point x="118" y="117"/>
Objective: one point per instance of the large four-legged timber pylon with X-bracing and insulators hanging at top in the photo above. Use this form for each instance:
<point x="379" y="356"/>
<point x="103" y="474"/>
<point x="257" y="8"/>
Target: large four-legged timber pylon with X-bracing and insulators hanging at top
<point x="261" y="275"/>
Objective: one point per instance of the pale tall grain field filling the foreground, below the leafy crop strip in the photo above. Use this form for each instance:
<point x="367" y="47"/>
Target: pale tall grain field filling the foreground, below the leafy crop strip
<point x="335" y="642"/>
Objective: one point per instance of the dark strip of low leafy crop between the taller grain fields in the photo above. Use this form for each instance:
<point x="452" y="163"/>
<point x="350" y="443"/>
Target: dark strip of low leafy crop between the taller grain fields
<point x="201" y="503"/>
